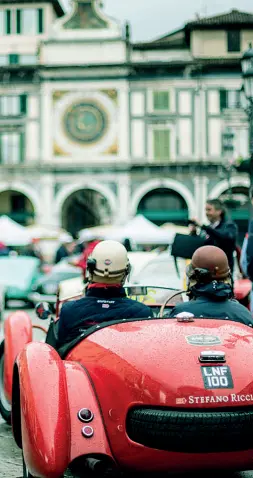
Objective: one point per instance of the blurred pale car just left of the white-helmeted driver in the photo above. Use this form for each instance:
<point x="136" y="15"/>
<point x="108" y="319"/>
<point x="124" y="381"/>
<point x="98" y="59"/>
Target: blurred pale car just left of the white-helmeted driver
<point x="46" y="287"/>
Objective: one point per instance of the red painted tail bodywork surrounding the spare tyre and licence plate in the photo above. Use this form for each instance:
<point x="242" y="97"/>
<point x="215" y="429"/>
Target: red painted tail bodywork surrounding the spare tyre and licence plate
<point x="151" y="363"/>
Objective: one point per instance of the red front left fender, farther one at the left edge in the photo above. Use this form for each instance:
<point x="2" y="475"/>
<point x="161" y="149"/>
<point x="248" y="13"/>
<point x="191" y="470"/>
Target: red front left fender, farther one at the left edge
<point x="17" y="333"/>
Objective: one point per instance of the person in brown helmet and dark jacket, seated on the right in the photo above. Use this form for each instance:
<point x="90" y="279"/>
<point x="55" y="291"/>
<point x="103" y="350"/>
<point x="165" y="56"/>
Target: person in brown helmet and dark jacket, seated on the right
<point x="210" y="288"/>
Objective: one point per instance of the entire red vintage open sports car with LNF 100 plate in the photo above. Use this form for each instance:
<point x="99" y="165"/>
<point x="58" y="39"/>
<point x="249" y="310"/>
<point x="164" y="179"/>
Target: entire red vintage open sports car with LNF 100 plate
<point x="143" y="394"/>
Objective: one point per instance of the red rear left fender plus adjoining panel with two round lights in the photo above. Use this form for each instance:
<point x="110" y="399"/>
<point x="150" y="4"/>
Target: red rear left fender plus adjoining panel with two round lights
<point x="52" y="393"/>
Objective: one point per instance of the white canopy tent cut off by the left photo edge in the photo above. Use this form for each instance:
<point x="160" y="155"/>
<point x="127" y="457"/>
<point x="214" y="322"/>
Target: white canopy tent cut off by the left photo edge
<point x="12" y="233"/>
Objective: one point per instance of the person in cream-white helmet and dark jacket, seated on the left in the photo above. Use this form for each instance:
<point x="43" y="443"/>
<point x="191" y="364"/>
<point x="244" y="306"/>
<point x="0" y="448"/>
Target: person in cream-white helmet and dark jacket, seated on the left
<point x="108" y="267"/>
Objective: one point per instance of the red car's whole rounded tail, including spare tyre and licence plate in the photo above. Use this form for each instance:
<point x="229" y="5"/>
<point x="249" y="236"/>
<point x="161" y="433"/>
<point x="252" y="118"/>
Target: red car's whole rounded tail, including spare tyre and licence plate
<point x="153" y="392"/>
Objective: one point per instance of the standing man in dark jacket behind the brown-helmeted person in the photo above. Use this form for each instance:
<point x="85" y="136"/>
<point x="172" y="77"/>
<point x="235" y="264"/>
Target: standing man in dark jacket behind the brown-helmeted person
<point x="219" y="232"/>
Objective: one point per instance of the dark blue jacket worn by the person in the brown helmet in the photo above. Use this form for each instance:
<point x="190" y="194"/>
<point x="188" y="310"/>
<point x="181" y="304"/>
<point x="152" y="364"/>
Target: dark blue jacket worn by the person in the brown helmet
<point x="214" y="301"/>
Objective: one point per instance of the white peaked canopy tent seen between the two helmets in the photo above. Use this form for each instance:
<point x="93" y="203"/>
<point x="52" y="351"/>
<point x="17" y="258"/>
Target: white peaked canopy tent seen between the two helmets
<point x="141" y="231"/>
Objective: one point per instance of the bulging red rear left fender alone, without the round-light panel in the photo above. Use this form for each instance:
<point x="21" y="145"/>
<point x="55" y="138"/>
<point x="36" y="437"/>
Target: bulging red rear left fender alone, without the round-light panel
<point x="45" y="420"/>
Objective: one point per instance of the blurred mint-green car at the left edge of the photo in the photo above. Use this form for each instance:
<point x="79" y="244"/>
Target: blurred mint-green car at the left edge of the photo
<point x="17" y="276"/>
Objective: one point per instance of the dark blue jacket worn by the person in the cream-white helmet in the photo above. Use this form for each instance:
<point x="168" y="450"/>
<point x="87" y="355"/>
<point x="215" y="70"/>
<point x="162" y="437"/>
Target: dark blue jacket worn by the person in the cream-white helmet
<point x="99" y="305"/>
